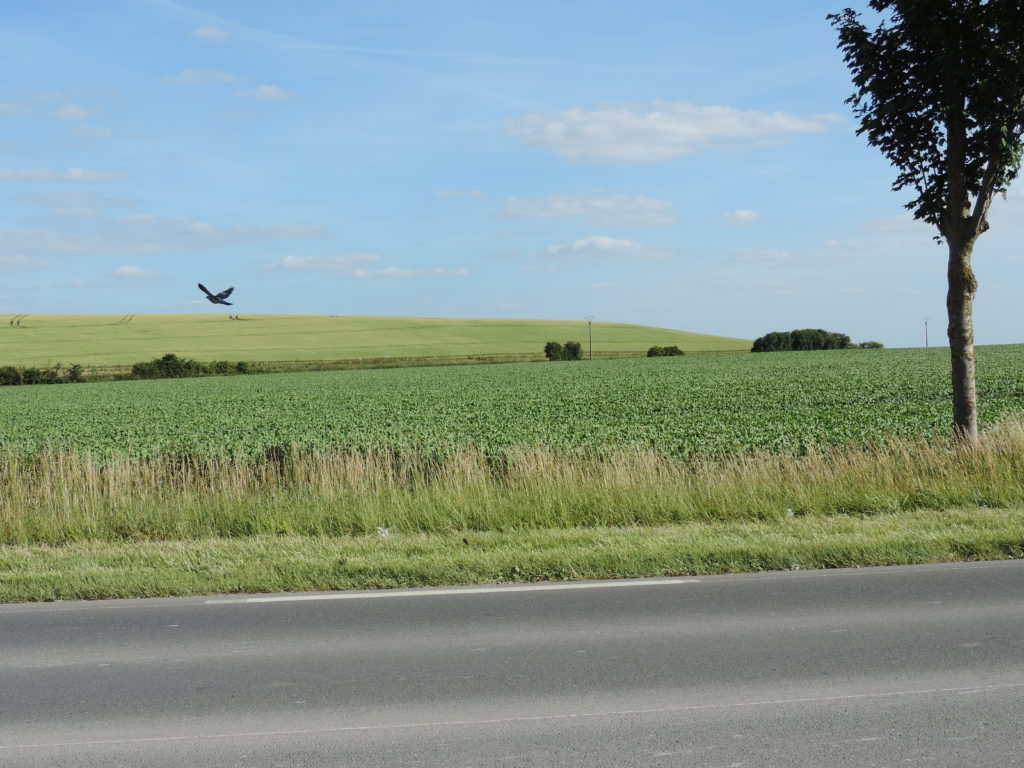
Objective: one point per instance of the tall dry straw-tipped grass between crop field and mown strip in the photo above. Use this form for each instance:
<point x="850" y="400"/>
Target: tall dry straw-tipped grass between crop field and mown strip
<point x="61" y="498"/>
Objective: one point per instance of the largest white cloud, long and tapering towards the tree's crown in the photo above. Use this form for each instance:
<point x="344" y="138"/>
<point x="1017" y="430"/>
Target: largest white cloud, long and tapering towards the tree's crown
<point x="661" y="132"/>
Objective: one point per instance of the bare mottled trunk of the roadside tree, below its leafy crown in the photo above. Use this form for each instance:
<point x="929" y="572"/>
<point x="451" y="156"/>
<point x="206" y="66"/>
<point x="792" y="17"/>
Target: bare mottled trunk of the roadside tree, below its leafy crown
<point x="960" y="307"/>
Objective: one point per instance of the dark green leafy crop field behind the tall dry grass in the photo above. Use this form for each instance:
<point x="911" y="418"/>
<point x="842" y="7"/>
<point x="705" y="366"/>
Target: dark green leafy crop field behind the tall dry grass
<point x="677" y="407"/>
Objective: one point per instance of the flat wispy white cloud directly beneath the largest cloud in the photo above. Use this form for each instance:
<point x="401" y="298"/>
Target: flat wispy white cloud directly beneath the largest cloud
<point x="601" y="206"/>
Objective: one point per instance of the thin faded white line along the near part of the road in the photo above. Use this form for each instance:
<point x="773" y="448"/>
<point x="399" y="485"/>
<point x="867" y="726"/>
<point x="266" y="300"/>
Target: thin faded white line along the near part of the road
<point x="522" y="719"/>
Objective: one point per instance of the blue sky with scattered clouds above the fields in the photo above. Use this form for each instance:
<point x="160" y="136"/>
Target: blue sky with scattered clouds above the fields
<point x="690" y="165"/>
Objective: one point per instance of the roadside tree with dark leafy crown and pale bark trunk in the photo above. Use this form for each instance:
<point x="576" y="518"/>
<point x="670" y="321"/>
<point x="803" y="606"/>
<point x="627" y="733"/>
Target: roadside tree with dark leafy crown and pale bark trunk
<point x="941" y="92"/>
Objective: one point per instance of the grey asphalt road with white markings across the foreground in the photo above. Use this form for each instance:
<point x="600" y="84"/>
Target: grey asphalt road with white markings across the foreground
<point x="873" y="667"/>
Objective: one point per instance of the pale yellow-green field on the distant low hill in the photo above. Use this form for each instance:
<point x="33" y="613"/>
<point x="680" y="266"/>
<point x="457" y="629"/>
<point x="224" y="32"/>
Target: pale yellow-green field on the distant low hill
<point x="116" y="340"/>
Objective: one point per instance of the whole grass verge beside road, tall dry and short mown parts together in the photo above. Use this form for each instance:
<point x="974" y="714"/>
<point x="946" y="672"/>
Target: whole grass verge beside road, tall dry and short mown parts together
<point x="71" y="528"/>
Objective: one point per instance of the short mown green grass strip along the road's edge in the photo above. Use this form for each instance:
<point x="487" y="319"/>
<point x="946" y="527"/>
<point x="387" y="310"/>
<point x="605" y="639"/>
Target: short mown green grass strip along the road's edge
<point x="287" y="564"/>
